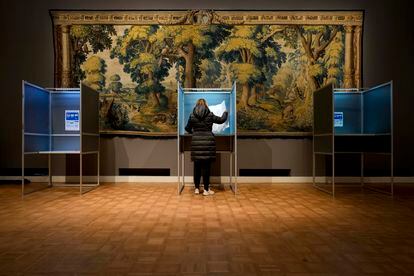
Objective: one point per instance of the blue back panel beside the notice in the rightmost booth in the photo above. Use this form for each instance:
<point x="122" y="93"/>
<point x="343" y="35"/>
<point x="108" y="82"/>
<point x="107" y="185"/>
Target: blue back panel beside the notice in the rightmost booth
<point x="349" y="103"/>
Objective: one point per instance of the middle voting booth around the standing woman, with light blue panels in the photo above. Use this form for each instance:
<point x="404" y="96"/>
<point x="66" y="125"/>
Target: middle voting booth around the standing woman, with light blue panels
<point x="218" y="100"/>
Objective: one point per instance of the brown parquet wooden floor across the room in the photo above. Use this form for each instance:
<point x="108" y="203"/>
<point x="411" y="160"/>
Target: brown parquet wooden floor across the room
<point x="146" y="229"/>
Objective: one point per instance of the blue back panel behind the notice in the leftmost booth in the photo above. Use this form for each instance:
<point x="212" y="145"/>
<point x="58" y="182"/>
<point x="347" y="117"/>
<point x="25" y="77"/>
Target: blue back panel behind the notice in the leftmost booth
<point x="60" y="102"/>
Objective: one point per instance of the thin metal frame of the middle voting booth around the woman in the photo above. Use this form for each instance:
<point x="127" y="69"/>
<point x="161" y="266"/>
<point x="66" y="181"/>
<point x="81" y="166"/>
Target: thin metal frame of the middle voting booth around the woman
<point x="180" y="142"/>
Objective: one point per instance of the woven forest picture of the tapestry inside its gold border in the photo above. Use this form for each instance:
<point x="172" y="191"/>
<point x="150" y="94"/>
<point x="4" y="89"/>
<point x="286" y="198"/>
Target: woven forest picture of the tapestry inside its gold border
<point x="276" y="68"/>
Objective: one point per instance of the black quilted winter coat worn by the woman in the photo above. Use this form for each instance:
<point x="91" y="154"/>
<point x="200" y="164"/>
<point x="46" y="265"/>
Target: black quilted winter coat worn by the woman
<point x="200" y="124"/>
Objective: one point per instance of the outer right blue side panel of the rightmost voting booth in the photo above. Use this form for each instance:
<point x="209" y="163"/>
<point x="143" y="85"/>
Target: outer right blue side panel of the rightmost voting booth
<point x="377" y="110"/>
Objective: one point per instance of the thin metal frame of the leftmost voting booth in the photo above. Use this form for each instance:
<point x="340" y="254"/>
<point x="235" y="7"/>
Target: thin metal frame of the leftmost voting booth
<point x="50" y="152"/>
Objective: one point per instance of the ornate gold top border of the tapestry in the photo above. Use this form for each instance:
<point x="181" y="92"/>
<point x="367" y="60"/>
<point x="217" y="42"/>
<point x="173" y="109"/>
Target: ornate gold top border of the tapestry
<point x="349" y="18"/>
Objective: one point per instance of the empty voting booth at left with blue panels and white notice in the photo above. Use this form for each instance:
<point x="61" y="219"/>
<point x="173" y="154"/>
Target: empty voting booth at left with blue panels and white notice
<point x="60" y="121"/>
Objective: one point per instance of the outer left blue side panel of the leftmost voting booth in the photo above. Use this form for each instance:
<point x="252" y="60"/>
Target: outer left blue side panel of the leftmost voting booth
<point x="36" y="109"/>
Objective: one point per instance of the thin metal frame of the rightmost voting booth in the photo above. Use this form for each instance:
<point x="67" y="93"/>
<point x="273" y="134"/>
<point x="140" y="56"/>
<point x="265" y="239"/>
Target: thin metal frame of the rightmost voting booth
<point x="333" y="152"/>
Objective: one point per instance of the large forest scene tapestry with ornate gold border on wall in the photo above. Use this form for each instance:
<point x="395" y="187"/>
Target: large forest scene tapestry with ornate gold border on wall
<point x="135" y="59"/>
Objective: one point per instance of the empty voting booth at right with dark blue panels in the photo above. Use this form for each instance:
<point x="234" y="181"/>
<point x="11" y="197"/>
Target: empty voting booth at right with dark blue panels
<point x="353" y="121"/>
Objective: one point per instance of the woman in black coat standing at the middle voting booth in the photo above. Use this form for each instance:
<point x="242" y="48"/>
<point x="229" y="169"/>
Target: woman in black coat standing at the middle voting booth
<point x="203" y="143"/>
